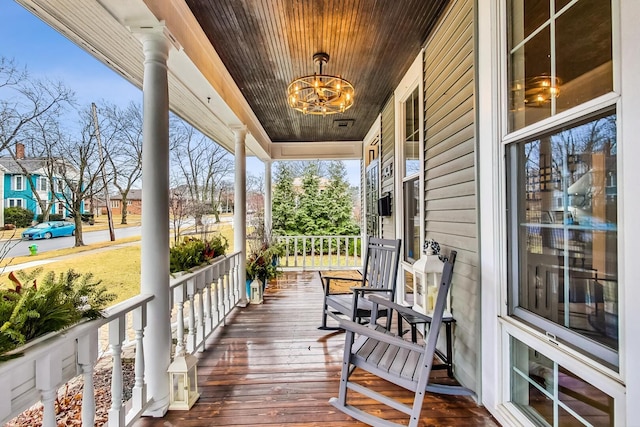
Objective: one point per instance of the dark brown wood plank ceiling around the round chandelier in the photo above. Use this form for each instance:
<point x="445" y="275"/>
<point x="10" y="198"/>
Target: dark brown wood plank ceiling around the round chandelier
<point x="265" y="44"/>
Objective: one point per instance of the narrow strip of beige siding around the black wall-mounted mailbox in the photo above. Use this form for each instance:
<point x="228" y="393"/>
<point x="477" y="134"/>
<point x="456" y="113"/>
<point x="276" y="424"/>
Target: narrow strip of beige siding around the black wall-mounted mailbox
<point x="388" y="141"/>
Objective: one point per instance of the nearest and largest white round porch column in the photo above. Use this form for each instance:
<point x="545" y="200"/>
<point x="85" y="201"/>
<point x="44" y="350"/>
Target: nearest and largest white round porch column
<point x="155" y="218"/>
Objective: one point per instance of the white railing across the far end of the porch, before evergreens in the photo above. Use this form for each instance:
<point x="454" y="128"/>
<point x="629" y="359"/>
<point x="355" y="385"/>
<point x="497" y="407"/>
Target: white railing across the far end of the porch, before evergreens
<point x="321" y="252"/>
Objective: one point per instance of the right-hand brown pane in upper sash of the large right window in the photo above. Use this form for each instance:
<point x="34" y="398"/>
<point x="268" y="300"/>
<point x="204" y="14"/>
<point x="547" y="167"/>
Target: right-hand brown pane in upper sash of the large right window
<point x="584" y="64"/>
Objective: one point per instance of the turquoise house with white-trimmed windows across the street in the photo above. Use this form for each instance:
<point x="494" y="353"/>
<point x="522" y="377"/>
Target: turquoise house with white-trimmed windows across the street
<point x="16" y="191"/>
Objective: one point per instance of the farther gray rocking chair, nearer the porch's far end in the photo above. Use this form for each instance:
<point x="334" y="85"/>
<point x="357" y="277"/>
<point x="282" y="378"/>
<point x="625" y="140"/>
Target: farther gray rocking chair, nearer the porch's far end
<point x="378" y="276"/>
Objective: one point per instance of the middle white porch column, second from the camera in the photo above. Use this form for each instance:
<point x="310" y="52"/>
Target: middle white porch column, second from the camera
<point x="240" y="208"/>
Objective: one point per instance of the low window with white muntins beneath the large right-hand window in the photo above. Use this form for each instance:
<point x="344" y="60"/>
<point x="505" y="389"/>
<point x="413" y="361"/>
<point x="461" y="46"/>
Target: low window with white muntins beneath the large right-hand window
<point x="536" y="379"/>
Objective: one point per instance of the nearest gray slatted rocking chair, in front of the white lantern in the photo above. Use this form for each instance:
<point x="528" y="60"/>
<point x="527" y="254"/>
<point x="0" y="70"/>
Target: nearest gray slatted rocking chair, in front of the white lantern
<point x="374" y="349"/>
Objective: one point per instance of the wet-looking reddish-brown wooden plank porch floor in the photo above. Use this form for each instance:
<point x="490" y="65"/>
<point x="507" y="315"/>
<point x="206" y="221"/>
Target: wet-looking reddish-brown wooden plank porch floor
<point x="271" y="366"/>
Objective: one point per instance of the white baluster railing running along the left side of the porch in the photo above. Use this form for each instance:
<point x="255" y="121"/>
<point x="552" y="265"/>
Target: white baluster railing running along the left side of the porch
<point x="207" y="295"/>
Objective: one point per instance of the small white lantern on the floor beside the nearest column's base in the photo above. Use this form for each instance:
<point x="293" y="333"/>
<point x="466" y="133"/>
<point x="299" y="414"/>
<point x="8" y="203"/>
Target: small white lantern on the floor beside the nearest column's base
<point x="183" y="381"/>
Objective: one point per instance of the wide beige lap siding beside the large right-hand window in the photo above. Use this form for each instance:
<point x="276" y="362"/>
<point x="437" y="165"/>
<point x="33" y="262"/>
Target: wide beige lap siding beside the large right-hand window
<point x="450" y="172"/>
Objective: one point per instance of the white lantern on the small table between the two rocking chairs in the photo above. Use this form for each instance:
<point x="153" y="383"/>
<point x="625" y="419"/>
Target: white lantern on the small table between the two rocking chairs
<point x="427" y="273"/>
